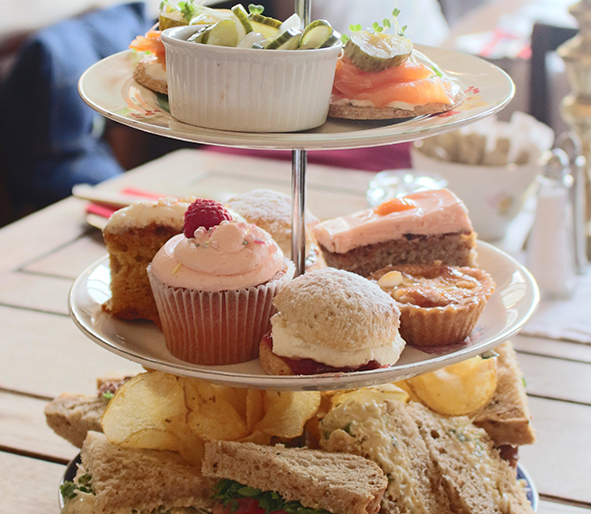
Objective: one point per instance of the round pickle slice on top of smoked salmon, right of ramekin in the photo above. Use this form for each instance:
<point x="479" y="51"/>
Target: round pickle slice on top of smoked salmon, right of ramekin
<point x="374" y="52"/>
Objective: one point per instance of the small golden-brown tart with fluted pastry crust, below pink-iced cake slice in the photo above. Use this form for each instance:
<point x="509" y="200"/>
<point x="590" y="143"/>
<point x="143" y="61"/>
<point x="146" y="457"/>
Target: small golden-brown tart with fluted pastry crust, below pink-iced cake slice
<point x="439" y="305"/>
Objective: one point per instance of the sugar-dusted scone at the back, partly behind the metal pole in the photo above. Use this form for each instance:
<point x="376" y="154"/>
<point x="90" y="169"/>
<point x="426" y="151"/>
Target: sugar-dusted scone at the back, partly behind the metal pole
<point x="271" y="211"/>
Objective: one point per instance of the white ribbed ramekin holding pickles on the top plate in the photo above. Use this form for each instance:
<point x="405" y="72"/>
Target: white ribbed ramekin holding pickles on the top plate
<point x="247" y="90"/>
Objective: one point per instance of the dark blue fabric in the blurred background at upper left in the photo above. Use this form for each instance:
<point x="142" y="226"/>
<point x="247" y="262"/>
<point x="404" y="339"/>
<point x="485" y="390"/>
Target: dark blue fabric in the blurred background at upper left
<point x="51" y="139"/>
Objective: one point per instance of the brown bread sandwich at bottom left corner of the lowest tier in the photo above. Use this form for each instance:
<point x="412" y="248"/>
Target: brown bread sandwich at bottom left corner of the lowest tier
<point x="116" y="480"/>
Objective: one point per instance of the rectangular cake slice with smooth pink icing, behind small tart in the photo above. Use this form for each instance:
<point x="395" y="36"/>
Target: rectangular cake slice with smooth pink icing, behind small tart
<point x="419" y="228"/>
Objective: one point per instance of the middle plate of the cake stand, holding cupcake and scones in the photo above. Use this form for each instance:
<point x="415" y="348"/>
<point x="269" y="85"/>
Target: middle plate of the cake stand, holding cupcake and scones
<point x="512" y="304"/>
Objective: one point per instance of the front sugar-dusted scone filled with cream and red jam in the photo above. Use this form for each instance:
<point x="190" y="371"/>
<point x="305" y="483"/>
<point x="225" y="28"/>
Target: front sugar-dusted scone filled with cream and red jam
<point x="331" y="321"/>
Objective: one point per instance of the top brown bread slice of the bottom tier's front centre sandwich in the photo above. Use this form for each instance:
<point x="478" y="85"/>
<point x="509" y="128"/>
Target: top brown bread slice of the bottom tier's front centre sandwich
<point x="339" y="483"/>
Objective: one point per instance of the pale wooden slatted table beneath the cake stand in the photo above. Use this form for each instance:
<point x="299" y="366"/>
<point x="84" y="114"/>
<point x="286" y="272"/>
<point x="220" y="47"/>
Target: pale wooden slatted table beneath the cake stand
<point x="43" y="354"/>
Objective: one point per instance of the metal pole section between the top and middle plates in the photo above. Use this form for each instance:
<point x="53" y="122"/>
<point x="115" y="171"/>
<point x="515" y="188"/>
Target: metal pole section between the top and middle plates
<point x="298" y="210"/>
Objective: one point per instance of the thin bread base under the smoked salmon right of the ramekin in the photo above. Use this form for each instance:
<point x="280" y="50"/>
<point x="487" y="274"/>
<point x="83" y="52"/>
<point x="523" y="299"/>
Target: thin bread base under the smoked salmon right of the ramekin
<point x="353" y="112"/>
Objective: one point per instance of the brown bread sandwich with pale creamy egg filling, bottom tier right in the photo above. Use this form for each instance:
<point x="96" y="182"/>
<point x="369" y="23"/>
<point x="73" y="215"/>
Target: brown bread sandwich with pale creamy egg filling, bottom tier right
<point x="433" y="463"/>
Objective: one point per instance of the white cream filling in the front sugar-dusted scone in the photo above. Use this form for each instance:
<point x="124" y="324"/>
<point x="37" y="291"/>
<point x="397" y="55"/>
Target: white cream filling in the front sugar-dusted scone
<point x="287" y="344"/>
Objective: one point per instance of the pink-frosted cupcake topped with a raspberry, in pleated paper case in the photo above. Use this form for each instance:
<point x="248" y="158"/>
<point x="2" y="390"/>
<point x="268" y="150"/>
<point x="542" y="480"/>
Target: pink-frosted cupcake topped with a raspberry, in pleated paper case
<point x="214" y="286"/>
